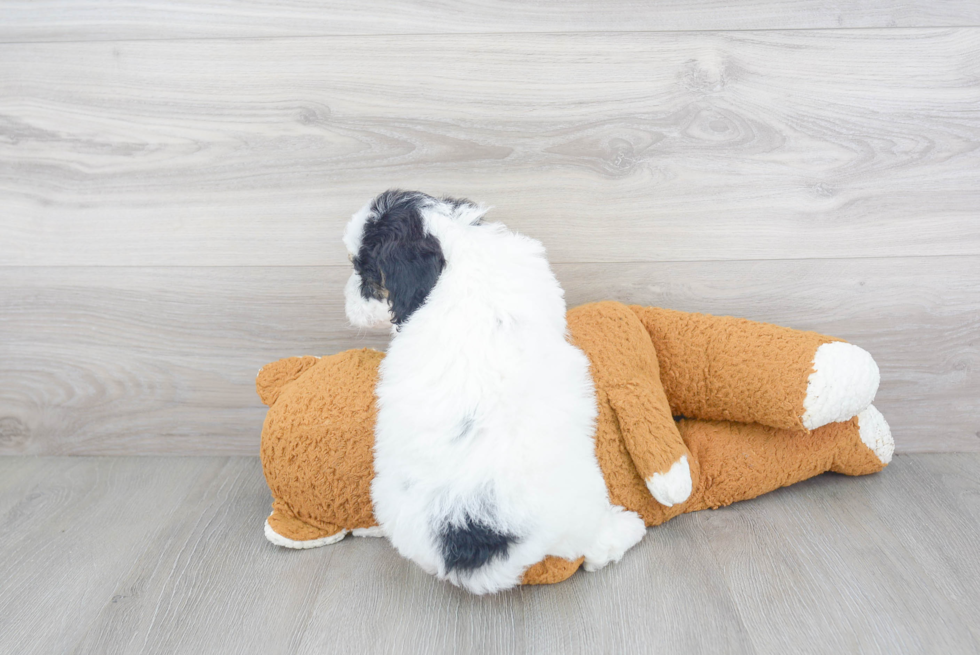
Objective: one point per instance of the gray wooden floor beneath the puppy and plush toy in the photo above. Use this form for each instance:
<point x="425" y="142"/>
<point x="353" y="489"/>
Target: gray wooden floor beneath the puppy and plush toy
<point x="166" y="555"/>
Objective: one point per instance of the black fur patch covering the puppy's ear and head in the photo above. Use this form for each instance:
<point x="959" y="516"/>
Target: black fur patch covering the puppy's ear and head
<point x="398" y="260"/>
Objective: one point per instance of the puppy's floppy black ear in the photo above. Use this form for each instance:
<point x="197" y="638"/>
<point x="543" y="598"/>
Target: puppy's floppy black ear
<point x="410" y="268"/>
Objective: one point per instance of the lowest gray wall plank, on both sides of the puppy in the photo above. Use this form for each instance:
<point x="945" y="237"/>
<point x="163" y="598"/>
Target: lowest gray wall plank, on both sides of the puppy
<point x="163" y="360"/>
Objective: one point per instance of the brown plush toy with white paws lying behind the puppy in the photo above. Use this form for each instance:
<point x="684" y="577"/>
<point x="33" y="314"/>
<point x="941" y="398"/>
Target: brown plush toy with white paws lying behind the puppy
<point x="759" y="406"/>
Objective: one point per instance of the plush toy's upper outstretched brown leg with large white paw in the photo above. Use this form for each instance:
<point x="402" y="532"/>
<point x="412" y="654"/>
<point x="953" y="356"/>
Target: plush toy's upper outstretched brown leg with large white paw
<point x="723" y="368"/>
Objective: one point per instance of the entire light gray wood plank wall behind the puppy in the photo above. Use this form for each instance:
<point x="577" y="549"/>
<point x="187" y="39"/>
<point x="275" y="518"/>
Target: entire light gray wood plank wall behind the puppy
<point x="174" y="179"/>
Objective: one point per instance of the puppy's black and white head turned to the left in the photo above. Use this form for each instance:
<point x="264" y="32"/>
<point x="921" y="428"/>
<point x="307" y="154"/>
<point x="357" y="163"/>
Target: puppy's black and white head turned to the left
<point x="392" y="242"/>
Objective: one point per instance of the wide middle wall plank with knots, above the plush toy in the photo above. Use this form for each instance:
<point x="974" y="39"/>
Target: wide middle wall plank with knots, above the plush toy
<point x="608" y="147"/>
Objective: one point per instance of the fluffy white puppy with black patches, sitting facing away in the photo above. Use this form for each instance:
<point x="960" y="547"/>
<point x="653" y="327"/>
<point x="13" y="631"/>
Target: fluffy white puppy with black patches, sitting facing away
<point x="484" y="454"/>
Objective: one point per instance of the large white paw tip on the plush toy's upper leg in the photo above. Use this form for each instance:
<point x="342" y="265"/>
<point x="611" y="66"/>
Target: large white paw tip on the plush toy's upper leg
<point x="843" y="383"/>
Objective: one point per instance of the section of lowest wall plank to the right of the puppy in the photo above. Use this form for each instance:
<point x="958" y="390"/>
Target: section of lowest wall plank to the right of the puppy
<point x="919" y="318"/>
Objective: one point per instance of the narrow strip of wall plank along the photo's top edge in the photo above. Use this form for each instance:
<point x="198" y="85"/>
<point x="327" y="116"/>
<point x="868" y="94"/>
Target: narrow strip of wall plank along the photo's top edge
<point x="51" y="20"/>
